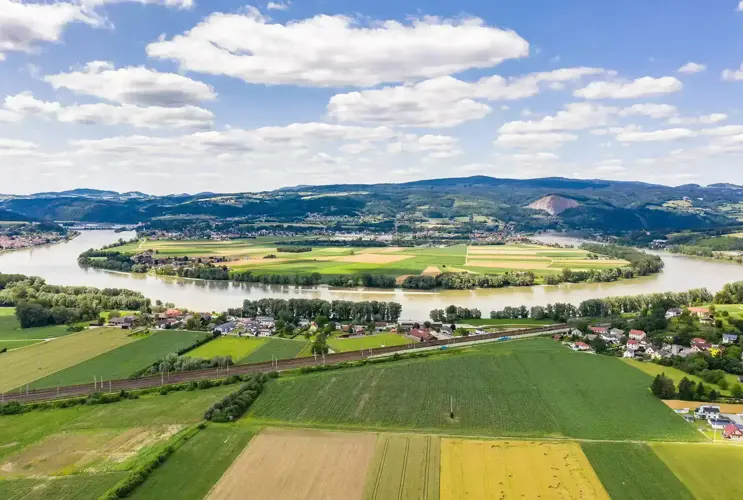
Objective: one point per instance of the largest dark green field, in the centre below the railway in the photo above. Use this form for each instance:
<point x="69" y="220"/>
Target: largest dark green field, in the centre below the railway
<point x="521" y="388"/>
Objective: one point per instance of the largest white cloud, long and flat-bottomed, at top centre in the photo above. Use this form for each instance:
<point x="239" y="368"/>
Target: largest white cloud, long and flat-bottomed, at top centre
<point x="337" y="50"/>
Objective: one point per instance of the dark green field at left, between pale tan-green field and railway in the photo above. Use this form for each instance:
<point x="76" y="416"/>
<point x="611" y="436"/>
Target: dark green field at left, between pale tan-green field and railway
<point x="124" y="361"/>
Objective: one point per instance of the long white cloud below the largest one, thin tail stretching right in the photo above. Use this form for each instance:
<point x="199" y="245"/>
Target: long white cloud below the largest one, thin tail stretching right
<point x="443" y="101"/>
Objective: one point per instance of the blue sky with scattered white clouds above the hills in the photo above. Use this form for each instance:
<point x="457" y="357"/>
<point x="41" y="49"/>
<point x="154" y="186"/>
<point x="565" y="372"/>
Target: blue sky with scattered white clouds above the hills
<point x="172" y="96"/>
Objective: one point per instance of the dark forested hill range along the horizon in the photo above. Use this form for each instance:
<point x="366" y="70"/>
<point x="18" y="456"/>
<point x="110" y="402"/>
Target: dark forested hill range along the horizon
<point x="595" y="204"/>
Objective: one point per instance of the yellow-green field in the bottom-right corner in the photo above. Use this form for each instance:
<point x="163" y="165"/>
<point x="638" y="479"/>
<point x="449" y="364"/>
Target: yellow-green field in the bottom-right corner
<point x="709" y="472"/>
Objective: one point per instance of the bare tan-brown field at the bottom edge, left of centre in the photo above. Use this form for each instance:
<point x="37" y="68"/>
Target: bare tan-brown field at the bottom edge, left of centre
<point x="308" y="465"/>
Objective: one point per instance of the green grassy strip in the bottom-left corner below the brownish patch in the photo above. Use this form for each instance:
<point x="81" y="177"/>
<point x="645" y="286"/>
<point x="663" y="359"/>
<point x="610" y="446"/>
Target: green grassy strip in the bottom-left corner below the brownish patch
<point x="79" y="487"/>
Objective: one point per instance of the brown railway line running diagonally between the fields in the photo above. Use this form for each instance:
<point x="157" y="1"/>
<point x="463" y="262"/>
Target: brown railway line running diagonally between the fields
<point x="23" y="396"/>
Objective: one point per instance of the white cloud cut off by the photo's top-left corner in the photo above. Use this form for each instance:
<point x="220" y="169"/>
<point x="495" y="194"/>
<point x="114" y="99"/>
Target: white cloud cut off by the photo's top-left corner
<point x="23" y="25"/>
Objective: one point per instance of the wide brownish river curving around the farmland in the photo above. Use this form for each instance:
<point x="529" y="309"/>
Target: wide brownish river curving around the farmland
<point x="58" y="265"/>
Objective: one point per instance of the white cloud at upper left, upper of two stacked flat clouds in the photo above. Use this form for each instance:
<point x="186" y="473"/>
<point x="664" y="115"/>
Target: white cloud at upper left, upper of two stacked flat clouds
<point x="133" y="85"/>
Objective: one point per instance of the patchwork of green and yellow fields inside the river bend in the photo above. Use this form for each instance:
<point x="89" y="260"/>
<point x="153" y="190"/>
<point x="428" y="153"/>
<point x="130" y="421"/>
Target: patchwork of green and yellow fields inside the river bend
<point x="249" y="255"/>
